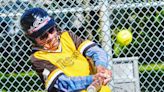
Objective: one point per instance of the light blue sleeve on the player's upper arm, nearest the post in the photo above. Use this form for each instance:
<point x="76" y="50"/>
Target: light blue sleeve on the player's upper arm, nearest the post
<point x="99" y="56"/>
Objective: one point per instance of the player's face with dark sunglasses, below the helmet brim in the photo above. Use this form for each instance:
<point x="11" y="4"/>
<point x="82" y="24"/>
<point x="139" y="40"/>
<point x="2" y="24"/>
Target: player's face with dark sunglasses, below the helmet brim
<point x="49" y="40"/>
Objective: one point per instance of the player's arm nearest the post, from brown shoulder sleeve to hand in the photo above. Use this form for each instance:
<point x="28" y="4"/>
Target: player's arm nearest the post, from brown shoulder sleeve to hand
<point x="97" y="54"/>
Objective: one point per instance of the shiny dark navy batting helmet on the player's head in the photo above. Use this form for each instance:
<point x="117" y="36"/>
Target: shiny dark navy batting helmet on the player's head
<point x="36" y="21"/>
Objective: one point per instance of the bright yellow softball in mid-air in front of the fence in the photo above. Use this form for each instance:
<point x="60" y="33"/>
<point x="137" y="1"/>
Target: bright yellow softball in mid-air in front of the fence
<point x="124" y="37"/>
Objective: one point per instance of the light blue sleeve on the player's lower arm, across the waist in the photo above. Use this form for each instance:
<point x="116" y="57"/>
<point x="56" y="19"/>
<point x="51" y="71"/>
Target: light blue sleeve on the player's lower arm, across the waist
<point x="68" y="84"/>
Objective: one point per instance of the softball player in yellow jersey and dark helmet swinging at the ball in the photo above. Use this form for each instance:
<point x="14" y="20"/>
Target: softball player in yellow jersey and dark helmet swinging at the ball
<point x="64" y="61"/>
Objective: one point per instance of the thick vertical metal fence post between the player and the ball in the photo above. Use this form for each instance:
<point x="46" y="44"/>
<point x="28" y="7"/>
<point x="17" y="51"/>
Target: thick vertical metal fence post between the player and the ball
<point x="106" y="42"/>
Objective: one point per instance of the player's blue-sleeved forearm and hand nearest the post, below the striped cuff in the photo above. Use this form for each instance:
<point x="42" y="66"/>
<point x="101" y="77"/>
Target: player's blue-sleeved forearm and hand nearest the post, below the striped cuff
<point x="100" y="57"/>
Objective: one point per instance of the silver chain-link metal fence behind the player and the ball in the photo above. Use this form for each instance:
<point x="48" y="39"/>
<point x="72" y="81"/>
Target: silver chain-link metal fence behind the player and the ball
<point x="98" y="20"/>
